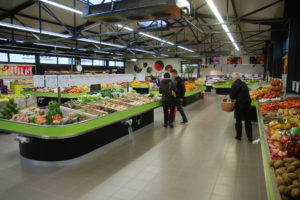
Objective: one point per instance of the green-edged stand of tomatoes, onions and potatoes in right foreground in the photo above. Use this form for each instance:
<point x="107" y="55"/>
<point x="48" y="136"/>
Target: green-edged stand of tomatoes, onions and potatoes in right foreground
<point x="279" y="124"/>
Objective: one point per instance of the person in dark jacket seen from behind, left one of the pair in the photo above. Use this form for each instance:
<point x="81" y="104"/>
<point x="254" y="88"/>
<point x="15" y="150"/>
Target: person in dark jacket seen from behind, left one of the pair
<point x="168" y="91"/>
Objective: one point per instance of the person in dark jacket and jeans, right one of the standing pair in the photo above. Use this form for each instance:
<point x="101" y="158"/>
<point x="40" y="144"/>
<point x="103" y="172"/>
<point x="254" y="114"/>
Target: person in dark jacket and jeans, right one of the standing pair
<point x="179" y="83"/>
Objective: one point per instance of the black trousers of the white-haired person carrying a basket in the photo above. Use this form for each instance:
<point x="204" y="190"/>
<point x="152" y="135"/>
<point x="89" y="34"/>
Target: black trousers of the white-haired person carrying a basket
<point x="242" y="113"/>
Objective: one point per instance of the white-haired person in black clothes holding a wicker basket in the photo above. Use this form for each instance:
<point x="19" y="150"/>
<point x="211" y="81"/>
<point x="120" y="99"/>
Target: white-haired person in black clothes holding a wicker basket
<point x="240" y="92"/>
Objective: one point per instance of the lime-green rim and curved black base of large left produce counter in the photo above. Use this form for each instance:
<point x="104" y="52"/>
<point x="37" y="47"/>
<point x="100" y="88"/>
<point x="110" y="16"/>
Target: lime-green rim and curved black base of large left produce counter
<point x="67" y="142"/>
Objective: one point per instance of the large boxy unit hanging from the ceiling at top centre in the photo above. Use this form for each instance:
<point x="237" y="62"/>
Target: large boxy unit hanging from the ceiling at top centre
<point x="128" y="11"/>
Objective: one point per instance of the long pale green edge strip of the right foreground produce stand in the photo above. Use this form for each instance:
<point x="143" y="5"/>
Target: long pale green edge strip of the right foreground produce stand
<point x="272" y="191"/>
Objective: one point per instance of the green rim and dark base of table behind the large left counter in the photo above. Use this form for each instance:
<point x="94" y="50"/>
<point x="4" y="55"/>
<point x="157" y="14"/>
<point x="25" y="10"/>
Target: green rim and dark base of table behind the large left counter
<point x="43" y="98"/>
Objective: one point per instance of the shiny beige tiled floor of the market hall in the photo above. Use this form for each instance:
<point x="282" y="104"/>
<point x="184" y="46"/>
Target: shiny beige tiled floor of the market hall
<point x="198" y="161"/>
